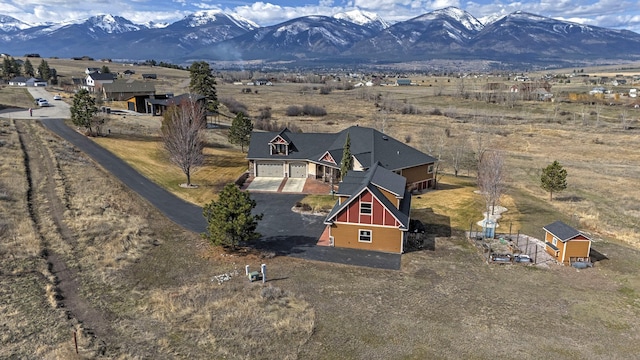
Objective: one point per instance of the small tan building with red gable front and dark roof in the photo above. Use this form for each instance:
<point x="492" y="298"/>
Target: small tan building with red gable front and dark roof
<point x="372" y="211"/>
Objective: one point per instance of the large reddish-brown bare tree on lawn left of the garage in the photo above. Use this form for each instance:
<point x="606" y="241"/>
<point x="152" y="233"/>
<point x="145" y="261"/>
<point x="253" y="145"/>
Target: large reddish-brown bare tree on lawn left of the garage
<point x="182" y="134"/>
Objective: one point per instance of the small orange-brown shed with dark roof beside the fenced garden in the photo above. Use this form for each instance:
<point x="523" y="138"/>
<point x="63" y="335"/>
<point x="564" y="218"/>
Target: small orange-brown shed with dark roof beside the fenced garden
<point x="566" y="244"/>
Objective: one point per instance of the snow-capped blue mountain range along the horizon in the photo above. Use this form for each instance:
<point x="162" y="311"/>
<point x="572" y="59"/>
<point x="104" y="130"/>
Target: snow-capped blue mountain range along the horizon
<point x="355" y="38"/>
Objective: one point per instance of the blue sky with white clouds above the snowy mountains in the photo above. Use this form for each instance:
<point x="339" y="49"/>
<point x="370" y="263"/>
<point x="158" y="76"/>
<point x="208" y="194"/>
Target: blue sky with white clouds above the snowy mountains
<point x="618" y="14"/>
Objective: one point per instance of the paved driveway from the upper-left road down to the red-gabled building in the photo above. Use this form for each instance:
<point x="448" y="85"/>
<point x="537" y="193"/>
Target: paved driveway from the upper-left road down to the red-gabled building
<point x="284" y="232"/>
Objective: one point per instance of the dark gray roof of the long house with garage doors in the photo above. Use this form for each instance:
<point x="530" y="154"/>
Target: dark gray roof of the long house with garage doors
<point x="368" y="146"/>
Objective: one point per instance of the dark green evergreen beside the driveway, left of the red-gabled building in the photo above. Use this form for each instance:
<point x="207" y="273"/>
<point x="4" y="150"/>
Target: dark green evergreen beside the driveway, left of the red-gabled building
<point x="229" y="220"/>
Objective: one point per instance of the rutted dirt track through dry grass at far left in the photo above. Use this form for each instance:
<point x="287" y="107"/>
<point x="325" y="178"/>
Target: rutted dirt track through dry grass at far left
<point x="46" y="206"/>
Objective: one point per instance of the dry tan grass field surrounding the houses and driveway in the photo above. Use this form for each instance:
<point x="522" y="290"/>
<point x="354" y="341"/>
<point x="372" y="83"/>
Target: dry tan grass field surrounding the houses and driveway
<point x="81" y="254"/>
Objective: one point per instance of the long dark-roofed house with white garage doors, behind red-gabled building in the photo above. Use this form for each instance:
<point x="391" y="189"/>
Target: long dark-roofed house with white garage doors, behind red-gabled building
<point x="318" y="155"/>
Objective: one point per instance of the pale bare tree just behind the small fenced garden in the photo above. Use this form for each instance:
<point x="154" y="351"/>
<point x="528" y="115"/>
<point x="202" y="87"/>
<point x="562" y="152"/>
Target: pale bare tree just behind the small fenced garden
<point x="491" y="178"/>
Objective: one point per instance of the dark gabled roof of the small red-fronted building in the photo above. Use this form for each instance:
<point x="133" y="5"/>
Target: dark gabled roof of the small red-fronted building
<point x="357" y="182"/>
